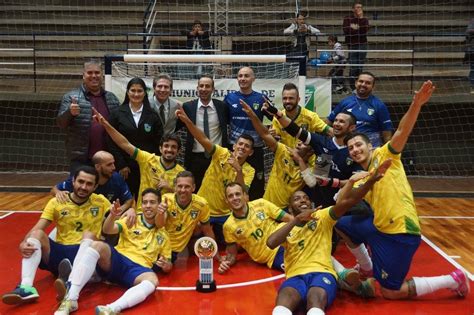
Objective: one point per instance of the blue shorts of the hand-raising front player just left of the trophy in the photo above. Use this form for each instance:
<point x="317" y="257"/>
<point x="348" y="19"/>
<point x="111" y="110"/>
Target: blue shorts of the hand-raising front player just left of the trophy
<point x="122" y="271"/>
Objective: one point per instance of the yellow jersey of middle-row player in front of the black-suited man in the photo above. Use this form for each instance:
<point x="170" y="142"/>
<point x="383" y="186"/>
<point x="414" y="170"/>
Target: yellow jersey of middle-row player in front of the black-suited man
<point x="218" y="174"/>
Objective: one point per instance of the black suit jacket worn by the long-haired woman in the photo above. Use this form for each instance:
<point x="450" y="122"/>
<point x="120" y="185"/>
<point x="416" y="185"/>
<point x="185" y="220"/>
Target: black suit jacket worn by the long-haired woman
<point x="146" y="136"/>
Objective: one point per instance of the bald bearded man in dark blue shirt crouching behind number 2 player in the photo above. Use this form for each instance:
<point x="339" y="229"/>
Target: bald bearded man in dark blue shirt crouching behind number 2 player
<point x="111" y="185"/>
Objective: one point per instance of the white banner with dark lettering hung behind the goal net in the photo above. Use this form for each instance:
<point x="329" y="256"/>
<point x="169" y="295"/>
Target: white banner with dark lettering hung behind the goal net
<point x="317" y="96"/>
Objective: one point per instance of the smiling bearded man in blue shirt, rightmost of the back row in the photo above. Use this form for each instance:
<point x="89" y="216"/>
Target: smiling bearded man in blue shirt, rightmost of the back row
<point x="372" y="115"/>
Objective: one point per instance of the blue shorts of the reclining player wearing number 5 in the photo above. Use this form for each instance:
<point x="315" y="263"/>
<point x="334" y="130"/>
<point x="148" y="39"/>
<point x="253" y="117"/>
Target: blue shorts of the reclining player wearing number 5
<point x="302" y="284"/>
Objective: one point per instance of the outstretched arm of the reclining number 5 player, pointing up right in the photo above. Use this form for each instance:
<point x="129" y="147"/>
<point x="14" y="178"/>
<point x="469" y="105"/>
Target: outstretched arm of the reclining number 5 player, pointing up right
<point x="349" y="197"/>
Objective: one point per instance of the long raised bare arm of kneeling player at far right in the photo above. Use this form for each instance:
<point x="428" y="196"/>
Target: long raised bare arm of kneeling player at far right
<point x="408" y="121"/>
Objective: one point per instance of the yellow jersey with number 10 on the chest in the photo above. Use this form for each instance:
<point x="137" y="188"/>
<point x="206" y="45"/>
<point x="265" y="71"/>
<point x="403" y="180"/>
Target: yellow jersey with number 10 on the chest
<point x="252" y="231"/>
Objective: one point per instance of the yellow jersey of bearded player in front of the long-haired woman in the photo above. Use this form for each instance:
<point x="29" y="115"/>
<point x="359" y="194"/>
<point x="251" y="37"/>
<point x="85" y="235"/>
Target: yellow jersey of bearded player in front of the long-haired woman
<point x="151" y="170"/>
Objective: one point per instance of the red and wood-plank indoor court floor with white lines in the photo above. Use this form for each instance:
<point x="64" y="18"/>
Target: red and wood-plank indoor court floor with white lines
<point x="447" y="227"/>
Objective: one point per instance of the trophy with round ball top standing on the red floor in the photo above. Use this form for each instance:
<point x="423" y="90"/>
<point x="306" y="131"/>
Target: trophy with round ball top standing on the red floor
<point x="205" y="248"/>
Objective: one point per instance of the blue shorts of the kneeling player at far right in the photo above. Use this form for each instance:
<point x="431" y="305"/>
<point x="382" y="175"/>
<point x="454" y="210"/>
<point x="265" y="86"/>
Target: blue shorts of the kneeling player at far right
<point x="391" y="253"/>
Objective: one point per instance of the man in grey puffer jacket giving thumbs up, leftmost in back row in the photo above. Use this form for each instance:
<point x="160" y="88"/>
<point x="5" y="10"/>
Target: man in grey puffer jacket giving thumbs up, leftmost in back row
<point x="83" y="136"/>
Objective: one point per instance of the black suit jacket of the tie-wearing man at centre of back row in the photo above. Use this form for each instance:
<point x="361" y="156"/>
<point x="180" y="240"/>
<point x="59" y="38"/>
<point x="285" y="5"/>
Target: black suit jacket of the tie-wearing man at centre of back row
<point x="191" y="110"/>
